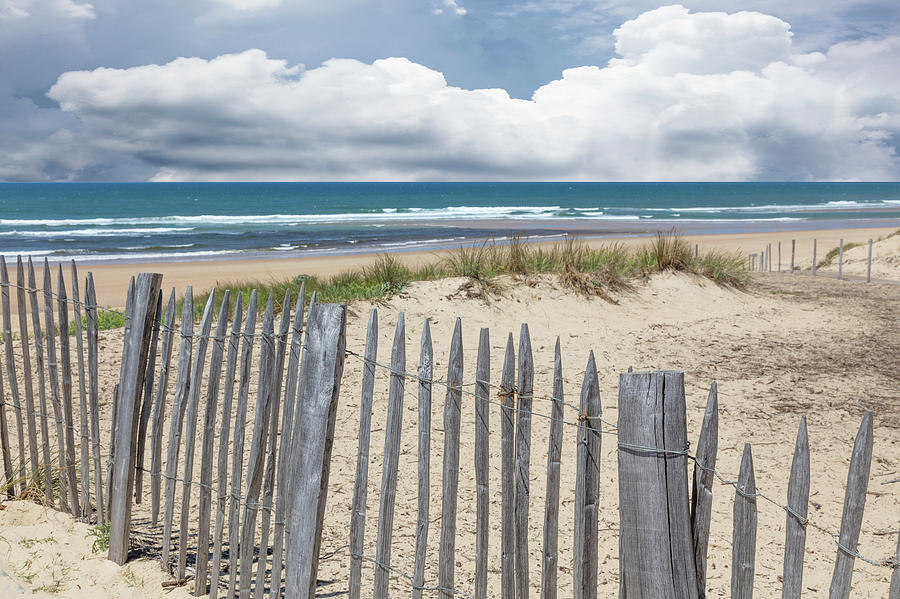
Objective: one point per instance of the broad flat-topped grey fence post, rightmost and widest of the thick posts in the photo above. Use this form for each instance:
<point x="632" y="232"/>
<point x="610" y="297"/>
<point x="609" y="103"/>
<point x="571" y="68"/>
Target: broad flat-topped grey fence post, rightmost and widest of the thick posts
<point x="654" y="511"/>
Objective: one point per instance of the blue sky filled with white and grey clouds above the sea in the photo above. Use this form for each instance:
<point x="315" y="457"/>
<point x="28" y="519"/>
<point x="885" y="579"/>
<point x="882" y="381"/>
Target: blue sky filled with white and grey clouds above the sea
<point x="449" y="90"/>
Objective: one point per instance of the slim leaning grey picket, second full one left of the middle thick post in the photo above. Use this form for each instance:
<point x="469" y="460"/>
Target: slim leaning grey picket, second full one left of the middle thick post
<point x="270" y="463"/>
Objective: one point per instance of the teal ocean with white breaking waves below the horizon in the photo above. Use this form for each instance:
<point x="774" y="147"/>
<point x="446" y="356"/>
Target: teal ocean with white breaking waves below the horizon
<point x="195" y="221"/>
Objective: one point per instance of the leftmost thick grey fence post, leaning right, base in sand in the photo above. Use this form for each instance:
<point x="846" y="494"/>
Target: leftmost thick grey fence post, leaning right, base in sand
<point x="131" y="377"/>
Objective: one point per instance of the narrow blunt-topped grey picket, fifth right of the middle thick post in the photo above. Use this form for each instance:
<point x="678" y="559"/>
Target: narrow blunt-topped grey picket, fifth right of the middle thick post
<point x="482" y="461"/>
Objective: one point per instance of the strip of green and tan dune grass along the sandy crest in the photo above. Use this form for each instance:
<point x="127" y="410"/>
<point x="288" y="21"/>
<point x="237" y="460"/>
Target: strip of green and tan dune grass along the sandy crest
<point x="585" y="270"/>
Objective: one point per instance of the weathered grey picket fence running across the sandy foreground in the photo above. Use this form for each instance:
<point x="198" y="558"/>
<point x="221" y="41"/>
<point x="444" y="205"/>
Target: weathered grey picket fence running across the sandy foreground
<point x="256" y="528"/>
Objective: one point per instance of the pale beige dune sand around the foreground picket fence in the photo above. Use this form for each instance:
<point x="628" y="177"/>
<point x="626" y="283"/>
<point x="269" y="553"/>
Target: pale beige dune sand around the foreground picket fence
<point x="790" y="346"/>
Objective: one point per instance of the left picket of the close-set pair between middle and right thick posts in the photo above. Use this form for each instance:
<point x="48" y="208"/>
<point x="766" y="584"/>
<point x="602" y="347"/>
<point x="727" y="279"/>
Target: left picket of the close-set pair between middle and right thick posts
<point x="508" y="473"/>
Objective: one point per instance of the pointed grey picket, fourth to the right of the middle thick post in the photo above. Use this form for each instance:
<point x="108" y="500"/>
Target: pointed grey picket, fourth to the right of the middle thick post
<point x="450" y="478"/>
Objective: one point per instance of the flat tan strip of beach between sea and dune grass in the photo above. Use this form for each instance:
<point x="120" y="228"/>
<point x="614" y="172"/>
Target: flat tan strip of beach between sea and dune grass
<point x="111" y="280"/>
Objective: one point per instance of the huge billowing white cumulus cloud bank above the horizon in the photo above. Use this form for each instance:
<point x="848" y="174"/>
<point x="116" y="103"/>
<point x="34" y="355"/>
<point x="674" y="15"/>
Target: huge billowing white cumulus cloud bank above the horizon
<point x="691" y="96"/>
